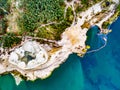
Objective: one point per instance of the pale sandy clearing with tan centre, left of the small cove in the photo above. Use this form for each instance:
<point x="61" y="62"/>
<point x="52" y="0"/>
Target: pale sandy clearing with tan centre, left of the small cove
<point x="74" y="38"/>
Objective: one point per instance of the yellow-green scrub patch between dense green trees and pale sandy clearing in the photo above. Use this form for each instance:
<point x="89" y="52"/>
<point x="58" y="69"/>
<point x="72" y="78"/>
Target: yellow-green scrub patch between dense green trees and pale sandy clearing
<point x="54" y="31"/>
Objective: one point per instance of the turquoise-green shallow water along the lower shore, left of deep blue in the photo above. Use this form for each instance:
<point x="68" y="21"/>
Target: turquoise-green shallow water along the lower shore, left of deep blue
<point x="68" y="77"/>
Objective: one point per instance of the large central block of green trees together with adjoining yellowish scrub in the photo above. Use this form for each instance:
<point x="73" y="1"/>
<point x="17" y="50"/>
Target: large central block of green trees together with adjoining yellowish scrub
<point x="38" y="12"/>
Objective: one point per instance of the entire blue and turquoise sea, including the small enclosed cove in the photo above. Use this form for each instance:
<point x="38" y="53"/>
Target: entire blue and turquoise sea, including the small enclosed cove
<point x="95" y="71"/>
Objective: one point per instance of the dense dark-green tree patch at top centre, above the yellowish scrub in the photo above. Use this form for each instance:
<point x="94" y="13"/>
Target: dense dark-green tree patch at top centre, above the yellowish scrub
<point x="37" y="12"/>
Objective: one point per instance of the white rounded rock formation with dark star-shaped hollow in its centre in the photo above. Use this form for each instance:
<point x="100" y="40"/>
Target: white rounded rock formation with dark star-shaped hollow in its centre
<point x="28" y="56"/>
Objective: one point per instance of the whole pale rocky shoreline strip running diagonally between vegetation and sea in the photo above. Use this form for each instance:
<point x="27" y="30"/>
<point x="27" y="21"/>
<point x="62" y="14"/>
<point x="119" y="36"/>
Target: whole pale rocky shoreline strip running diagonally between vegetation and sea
<point x="45" y="59"/>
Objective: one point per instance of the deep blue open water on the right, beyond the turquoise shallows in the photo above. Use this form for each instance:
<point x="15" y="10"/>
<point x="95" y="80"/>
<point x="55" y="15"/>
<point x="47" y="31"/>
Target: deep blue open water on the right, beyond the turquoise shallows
<point x="102" y="69"/>
